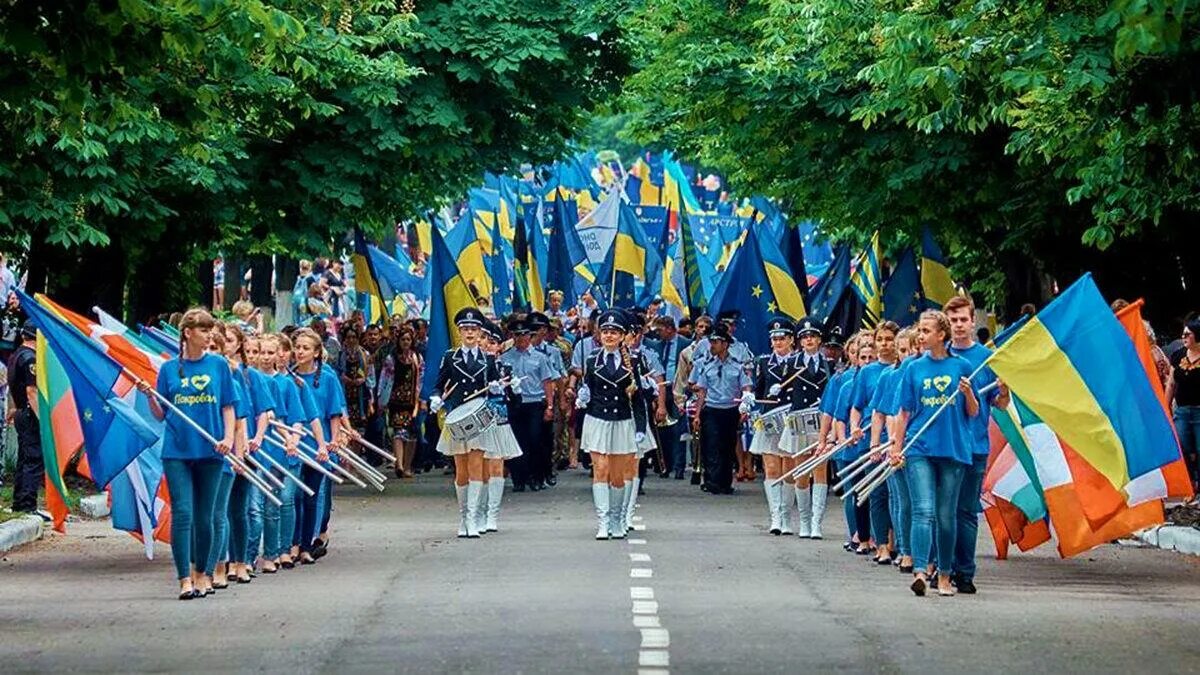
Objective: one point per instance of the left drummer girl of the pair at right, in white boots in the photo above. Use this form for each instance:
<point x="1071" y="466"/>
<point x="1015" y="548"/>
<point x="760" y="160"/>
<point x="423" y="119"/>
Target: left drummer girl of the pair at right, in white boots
<point x="772" y="372"/>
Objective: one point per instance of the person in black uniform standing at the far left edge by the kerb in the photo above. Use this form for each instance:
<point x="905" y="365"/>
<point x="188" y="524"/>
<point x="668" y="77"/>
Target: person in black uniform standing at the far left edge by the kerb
<point x="22" y="375"/>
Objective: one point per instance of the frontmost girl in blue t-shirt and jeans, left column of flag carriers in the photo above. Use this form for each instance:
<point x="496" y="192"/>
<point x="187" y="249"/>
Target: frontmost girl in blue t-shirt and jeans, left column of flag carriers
<point x="201" y="386"/>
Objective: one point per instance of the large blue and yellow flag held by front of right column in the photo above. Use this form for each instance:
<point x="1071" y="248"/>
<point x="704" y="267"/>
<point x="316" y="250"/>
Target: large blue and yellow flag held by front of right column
<point x="1078" y="371"/>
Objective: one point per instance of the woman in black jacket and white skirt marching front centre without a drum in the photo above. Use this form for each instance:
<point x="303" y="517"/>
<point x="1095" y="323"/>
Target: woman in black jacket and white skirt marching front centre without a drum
<point x="613" y="422"/>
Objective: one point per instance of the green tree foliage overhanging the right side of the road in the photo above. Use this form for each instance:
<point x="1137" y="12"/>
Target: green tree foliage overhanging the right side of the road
<point x="1033" y="136"/>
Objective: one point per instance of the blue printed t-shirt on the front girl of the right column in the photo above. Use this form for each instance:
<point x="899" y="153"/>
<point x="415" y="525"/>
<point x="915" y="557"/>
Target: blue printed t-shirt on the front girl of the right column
<point x="925" y="387"/>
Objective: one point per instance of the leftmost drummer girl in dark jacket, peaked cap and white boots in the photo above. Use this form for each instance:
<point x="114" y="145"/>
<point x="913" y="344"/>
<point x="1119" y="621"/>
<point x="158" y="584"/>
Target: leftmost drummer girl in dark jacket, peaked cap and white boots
<point x="465" y="372"/>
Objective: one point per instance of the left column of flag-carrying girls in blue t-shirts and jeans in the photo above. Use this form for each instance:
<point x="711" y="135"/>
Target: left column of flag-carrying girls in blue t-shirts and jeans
<point x="255" y="432"/>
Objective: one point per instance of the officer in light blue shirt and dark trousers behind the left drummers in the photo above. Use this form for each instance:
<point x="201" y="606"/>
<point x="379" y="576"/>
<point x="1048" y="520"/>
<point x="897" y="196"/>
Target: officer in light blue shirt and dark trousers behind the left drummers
<point x="526" y="411"/>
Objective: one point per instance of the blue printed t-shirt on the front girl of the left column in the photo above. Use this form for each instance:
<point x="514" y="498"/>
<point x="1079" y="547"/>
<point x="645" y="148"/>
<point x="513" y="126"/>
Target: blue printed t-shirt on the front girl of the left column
<point x="201" y="393"/>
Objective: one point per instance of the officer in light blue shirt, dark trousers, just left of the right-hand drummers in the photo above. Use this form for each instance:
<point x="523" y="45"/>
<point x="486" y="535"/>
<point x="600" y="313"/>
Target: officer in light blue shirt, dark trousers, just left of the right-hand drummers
<point x="723" y="383"/>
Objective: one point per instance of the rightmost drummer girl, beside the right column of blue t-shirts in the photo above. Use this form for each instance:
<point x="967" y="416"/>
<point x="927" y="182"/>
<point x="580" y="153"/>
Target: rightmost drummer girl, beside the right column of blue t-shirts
<point x="815" y="372"/>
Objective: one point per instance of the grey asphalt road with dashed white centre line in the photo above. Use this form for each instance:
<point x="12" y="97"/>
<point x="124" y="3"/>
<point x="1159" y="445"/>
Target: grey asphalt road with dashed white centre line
<point x="703" y="589"/>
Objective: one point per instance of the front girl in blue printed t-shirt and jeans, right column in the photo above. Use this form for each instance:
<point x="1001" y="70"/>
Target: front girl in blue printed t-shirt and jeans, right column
<point x="938" y="456"/>
